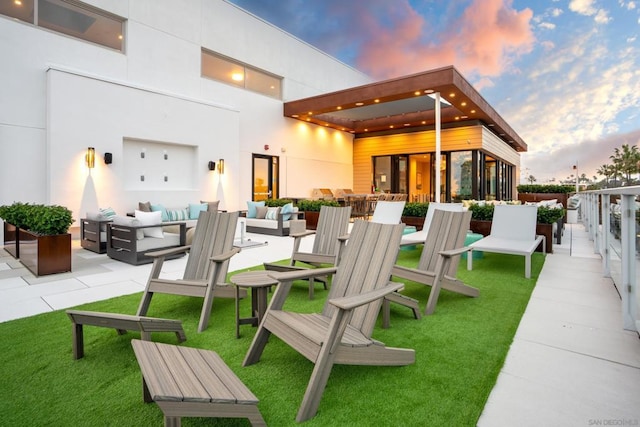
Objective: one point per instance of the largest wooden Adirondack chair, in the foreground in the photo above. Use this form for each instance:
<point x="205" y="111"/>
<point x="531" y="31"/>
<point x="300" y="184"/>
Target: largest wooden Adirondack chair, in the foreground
<point x="342" y="332"/>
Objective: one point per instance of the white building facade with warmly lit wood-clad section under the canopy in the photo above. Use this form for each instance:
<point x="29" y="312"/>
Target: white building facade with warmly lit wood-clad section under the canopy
<point x="169" y="89"/>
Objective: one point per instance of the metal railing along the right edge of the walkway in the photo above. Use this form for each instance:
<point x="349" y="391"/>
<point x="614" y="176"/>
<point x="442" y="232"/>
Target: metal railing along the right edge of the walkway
<point x="613" y="228"/>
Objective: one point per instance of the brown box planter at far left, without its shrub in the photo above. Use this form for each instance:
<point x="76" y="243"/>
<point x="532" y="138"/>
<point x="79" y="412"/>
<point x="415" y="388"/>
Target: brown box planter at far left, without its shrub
<point x="44" y="255"/>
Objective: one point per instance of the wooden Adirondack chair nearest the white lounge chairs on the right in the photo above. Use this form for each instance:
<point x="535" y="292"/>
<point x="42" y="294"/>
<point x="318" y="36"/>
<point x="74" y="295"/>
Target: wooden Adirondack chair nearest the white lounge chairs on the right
<point x="440" y="257"/>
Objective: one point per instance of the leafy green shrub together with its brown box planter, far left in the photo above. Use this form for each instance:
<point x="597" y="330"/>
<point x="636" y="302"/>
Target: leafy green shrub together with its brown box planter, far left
<point x="43" y="241"/>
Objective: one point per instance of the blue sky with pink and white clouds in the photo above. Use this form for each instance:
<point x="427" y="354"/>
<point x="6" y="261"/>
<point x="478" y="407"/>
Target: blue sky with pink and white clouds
<point x="565" y="74"/>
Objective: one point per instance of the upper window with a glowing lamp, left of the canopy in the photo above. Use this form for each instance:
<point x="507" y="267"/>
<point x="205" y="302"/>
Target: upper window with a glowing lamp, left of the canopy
<point x="236" y="73"/>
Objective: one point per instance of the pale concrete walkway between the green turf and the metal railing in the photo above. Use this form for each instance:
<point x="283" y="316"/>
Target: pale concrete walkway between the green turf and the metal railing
<point x="571" y="363"/>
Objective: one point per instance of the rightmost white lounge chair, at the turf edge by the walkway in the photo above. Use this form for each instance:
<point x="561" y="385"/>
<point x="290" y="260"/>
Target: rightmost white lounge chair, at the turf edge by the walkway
<point x="513" y="231"/>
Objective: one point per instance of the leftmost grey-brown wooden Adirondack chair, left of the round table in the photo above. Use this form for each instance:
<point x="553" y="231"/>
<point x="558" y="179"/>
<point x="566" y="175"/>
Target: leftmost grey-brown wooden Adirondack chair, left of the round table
<point x="207" y="265"/>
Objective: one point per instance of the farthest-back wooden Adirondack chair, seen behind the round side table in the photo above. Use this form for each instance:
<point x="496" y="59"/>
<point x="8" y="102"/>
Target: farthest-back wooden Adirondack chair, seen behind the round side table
<point x="333" y="222"/>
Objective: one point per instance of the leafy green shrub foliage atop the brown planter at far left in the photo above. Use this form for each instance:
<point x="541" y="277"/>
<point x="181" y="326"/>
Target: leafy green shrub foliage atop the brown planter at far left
<point x="38" y="219"/>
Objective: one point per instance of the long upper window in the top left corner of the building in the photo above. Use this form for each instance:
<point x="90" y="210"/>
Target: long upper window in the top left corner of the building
<point x="72" y="18"/>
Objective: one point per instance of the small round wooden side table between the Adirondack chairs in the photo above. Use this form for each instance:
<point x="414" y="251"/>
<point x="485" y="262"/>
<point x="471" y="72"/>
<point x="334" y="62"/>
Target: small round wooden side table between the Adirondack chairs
<point x="259" y="282"/>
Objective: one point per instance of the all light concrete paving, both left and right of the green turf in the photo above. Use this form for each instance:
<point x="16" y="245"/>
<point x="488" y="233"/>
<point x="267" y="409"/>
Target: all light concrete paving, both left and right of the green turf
<point x="570" y="364"/>
